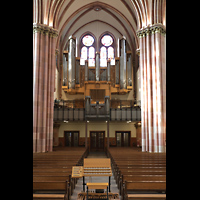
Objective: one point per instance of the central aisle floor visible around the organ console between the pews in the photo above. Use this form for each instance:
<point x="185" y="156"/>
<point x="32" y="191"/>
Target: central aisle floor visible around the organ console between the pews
<point x="79" y="185"/>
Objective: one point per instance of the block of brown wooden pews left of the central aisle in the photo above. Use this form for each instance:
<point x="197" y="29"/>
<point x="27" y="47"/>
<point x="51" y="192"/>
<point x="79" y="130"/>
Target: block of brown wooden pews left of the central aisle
<point x="52" y="173"/>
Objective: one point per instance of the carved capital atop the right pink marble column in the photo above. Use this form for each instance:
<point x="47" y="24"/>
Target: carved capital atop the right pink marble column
<point x="151" y="29"/>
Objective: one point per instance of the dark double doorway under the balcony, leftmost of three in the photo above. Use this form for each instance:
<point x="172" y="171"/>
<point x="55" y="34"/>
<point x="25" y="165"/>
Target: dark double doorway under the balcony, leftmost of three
<point x="71" y="138"/>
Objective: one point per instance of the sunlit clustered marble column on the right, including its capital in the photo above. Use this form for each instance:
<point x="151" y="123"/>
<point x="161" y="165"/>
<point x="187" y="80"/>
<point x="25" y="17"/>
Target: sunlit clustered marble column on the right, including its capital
<point x="153" y="87"/>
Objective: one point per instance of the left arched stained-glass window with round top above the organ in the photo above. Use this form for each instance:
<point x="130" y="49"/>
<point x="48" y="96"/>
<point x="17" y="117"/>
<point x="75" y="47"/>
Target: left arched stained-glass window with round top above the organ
<point x="87" y="50"/>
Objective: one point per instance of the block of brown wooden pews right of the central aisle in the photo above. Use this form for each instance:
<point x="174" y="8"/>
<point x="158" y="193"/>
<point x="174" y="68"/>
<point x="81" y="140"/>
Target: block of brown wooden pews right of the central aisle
<point x="141" y="171"/>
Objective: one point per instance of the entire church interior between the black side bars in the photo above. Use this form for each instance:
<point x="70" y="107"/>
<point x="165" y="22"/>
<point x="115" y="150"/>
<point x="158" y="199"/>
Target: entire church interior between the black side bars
<point x="99" y="92"/>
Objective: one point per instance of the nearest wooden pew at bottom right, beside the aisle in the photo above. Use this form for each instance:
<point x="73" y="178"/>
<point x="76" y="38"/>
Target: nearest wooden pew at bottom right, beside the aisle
<point x="135" y="189"/>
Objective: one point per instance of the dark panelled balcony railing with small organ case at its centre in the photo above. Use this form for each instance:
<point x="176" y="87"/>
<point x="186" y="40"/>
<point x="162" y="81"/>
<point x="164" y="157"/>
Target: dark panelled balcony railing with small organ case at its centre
<point x="81" y="110"/>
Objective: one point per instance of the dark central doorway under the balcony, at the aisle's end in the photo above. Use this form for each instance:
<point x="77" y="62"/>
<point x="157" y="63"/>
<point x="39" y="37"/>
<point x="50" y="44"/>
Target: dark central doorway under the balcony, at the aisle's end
<point x="97" y="139"/>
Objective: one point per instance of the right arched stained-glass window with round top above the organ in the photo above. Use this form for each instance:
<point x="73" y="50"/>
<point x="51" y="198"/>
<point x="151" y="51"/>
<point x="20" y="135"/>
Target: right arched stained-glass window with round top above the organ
<point x="107" y="51"/>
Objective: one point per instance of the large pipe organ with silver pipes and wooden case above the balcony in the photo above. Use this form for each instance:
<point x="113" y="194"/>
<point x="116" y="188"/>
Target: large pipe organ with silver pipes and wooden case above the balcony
<point x="116" y="79"/>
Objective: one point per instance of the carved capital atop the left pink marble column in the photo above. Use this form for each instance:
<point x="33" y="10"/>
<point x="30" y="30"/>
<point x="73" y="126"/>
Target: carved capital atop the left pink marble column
<point x="44" y="29"/>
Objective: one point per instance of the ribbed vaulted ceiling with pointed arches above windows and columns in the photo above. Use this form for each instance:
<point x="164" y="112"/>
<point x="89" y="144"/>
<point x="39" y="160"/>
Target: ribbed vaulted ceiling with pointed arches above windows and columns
<point x="124" y="17"/>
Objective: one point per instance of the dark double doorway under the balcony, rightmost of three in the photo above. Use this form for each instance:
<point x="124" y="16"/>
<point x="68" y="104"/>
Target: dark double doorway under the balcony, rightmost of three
<point x="123" y="138"/>
